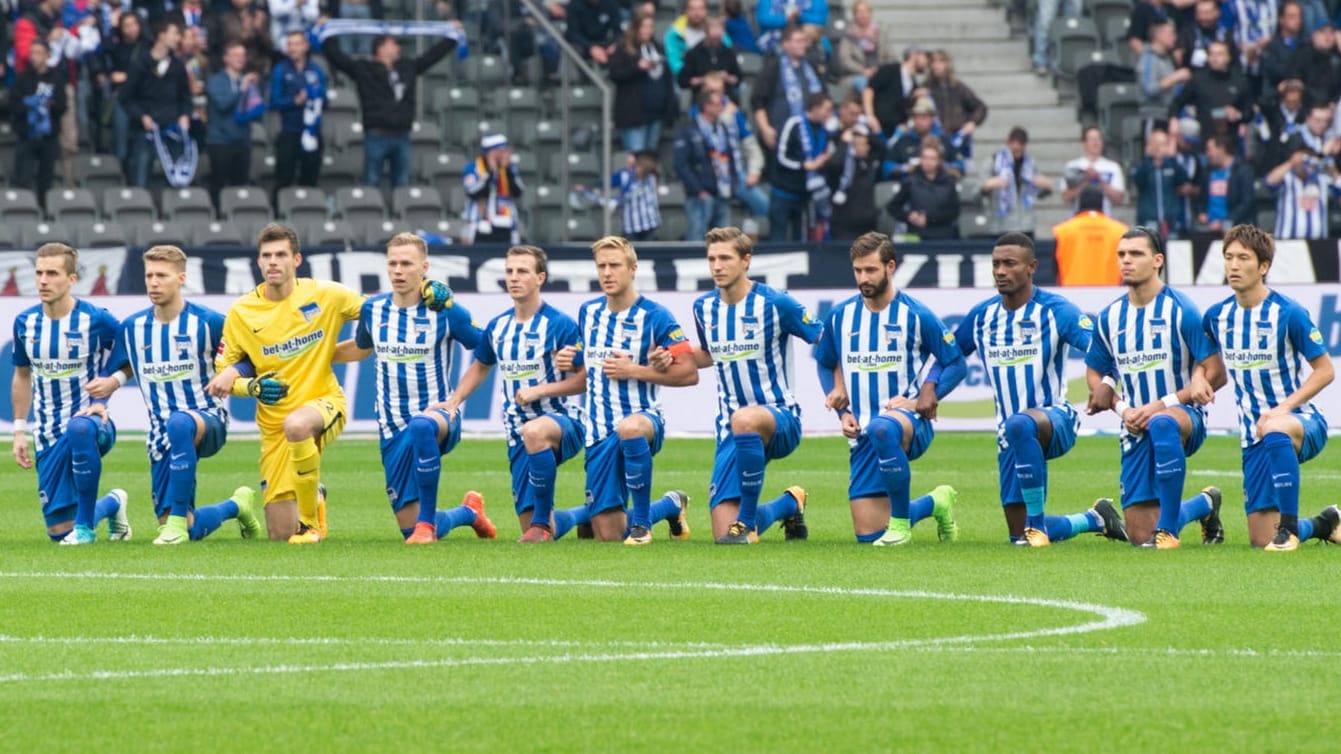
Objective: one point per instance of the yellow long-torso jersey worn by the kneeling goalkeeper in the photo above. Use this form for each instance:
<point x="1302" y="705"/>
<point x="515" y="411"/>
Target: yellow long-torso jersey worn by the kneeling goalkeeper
<point x="296" y="339"/>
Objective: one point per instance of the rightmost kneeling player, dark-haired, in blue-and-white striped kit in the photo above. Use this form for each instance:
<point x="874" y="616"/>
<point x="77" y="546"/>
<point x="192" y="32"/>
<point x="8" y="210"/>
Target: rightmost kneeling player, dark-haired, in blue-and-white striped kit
<point x="1265" y="340"/>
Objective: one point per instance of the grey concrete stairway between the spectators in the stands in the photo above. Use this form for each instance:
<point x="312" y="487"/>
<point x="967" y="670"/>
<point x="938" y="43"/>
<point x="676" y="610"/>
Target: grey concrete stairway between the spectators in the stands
<point x="996" y="65"/>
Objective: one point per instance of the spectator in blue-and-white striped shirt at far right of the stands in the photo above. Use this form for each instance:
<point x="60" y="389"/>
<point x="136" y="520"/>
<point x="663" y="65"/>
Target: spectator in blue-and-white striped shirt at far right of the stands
<point x="1304" y="186"/>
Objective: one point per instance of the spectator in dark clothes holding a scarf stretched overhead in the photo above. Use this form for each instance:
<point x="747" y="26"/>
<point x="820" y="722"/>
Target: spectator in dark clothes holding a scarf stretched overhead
<point x="387" y="99"/>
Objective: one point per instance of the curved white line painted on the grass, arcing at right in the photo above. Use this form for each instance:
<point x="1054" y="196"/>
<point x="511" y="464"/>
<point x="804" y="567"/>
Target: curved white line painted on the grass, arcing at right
<point x="1111" y="619"/>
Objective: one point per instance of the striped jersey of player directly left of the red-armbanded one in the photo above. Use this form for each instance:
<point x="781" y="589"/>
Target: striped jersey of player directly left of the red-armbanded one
<point x="524" y="352"/>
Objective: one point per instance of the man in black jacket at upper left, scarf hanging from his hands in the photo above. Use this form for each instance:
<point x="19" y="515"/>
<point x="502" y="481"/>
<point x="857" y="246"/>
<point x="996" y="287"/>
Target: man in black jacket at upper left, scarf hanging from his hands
<point x="156" y="96"/>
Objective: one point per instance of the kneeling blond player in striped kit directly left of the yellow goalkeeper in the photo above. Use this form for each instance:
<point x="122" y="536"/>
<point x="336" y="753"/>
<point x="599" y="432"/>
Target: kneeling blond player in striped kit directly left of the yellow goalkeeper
<point x="171" y="348"/>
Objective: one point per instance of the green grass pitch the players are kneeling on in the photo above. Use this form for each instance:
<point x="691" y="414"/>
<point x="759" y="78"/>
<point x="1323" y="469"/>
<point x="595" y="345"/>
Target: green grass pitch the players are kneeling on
<point x="365" y="645"/>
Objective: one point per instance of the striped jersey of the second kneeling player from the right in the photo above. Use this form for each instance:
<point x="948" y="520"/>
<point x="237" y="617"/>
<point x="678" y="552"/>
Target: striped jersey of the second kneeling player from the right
<point x="1153" y="349"/>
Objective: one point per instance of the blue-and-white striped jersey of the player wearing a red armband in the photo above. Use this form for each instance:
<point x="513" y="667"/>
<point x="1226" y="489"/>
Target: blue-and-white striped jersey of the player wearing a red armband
<point x="636" y="332"/>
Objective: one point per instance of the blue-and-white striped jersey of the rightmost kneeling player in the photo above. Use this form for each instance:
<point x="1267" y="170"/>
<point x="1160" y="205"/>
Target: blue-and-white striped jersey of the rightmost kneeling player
<point x="1265" y="349"/>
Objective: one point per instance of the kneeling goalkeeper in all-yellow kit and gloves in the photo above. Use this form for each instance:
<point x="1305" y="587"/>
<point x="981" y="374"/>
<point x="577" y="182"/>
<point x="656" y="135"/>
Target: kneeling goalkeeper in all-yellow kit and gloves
<point x="288" y="329"/>
